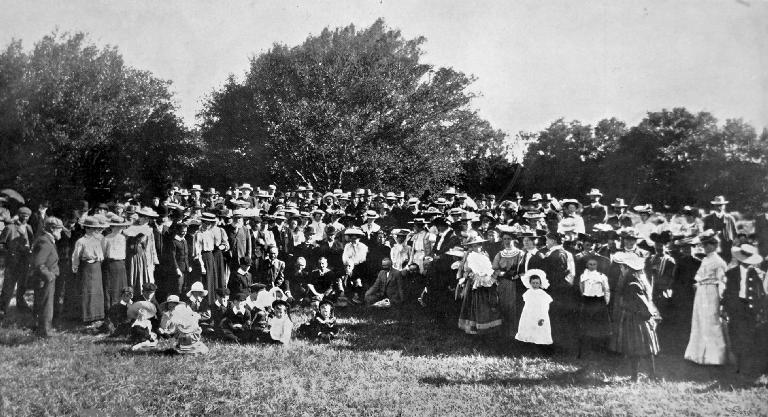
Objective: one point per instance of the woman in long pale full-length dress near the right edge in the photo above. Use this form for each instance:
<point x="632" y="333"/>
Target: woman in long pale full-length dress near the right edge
<point x="706" y="345"/>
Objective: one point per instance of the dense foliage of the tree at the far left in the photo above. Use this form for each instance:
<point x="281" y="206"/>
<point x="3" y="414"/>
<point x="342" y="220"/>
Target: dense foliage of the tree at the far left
<point x="78" y="122"/>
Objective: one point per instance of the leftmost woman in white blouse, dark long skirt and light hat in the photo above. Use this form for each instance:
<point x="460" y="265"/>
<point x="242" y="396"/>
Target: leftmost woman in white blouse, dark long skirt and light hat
<point x="86" y="263"/>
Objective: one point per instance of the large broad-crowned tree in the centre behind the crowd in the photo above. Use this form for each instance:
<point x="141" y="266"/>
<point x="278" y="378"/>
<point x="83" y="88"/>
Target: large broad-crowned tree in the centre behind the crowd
<point x="349" y="108"/>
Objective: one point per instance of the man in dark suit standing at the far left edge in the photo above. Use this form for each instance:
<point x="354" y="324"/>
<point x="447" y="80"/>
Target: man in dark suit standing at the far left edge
<point x="16" y="243"/>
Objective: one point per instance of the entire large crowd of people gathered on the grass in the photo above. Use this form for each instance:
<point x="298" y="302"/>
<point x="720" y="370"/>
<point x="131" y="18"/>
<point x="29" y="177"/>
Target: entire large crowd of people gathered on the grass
<point x="550" y="272"/>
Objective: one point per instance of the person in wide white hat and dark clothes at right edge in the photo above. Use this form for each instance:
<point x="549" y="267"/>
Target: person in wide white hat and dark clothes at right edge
<point x="744" y="300"/>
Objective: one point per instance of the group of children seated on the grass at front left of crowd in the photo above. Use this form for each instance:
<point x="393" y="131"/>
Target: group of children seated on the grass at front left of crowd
<point x="261" y="316"/>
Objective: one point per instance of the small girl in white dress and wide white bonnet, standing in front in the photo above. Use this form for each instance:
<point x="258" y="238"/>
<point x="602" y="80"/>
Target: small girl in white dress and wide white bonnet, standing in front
<point x="535" y="326"/>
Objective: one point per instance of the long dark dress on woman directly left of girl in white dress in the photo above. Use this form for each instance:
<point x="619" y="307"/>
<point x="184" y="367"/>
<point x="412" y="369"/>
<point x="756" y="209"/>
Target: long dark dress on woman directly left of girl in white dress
<point x="505" y="263"/>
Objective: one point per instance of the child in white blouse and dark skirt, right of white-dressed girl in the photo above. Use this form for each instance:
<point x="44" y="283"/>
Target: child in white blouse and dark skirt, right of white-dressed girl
<point x="594" y="322"/>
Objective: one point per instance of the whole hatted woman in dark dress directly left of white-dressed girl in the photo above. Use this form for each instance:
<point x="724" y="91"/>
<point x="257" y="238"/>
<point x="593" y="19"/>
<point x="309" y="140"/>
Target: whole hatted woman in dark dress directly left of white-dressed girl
<point x="505" y="271"/>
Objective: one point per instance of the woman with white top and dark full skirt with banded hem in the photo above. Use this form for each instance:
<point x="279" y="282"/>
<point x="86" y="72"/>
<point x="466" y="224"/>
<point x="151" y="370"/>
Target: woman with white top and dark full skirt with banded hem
<point x="480" y="307"/>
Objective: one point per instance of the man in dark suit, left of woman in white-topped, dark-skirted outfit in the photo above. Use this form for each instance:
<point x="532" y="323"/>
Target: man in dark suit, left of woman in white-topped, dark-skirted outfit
<point x="439" y="293"/>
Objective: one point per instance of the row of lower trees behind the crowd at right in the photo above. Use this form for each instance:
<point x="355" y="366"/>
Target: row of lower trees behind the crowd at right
<point x="672" y="157"/>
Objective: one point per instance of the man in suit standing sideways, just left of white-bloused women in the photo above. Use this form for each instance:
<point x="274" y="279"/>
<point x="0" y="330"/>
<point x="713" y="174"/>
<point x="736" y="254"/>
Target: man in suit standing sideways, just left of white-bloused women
<point x="45" y="270"/>
